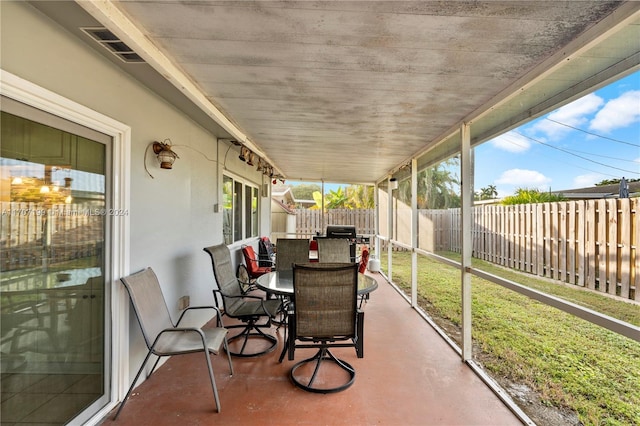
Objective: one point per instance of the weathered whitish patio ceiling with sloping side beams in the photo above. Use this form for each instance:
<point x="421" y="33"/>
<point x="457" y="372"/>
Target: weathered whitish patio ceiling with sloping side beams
<point x="349" y="91"/>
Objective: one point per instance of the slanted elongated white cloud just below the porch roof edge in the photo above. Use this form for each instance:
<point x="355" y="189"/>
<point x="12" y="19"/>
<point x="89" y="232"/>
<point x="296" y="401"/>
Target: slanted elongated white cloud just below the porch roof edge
<point x="573" y="114"/>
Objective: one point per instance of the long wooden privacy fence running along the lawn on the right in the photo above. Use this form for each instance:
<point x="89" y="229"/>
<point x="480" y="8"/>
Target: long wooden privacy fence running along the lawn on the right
<point x="593" y="243"/>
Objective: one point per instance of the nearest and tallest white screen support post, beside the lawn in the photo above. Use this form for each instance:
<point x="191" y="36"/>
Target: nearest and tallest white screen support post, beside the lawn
<point x="467" y="200"/>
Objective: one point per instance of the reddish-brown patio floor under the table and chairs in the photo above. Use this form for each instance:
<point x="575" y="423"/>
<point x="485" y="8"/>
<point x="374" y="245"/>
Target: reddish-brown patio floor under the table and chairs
<point x="408" y="376"/>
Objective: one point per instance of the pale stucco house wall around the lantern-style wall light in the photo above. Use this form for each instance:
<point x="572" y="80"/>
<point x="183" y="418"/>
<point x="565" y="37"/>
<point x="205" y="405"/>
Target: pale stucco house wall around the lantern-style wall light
<point x="172" y="215"/>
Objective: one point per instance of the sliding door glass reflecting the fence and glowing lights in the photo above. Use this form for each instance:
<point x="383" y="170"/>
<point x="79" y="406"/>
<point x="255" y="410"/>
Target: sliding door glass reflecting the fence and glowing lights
<point x="52" y="263"/>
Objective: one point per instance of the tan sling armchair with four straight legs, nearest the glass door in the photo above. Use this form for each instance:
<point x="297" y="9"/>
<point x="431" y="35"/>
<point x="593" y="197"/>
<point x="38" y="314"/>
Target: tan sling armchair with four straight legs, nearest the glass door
<point x="162" y="336"/>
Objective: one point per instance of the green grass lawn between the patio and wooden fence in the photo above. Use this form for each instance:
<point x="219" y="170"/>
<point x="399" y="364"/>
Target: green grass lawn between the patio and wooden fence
<point x="570" y="363"/>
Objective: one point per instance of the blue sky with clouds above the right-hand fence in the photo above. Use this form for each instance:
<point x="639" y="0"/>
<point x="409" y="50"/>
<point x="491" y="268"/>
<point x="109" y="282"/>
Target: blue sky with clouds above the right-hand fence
<point x="549" y="153"/>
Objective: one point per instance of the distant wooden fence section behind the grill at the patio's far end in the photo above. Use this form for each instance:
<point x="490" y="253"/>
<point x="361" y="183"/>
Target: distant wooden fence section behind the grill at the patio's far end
<point x="309" y="222"/>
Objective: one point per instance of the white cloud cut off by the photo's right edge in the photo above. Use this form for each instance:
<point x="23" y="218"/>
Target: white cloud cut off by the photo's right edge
<point x="619" y="112"/>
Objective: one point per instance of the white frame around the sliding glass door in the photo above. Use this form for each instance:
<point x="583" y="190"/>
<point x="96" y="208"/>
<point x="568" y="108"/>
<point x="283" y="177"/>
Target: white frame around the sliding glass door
<point x="117" y="358"/>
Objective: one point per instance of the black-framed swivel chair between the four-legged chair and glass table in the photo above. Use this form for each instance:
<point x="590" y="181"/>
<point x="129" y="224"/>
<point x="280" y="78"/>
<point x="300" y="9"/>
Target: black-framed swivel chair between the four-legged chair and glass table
<point x="247" y="308"/>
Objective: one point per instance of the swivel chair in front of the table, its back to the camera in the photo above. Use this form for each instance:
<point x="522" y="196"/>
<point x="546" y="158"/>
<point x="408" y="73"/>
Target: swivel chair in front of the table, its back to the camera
<point x="325" y="316"/>
